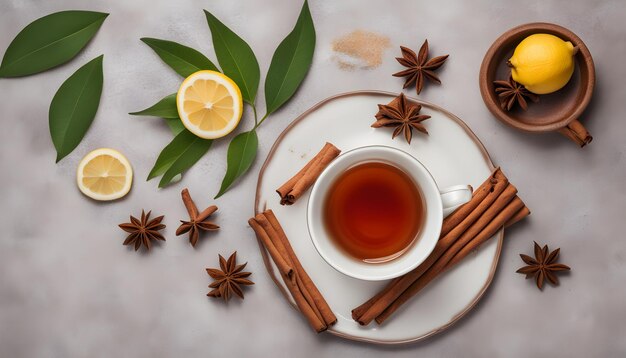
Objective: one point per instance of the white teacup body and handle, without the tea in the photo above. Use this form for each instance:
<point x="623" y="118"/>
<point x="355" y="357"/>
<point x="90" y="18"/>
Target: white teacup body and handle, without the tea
<point x="438" y="204"/>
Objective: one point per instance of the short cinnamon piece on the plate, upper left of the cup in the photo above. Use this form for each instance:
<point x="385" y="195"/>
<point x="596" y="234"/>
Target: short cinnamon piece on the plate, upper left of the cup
<point x="299" y="183"/>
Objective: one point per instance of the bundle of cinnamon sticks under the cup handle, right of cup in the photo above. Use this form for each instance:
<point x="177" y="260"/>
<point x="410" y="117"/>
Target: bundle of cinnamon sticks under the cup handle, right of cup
<point x="493" y="205"/>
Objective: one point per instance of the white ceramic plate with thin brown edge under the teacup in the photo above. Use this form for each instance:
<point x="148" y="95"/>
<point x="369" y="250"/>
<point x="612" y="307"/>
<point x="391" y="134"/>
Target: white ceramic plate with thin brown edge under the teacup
<point x="452" y="153"/>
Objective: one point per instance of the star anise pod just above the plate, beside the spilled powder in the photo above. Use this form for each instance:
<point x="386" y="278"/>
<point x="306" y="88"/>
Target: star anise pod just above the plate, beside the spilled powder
<point x="419" y="66"/>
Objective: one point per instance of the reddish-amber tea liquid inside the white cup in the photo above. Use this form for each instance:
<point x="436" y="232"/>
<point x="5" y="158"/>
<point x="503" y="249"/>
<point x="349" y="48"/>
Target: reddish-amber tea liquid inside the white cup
<point x="373" y="211"/>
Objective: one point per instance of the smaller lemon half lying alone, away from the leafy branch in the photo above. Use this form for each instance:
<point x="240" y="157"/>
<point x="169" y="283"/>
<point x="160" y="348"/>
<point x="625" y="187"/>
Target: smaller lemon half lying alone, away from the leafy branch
<point x="104" y="174"/>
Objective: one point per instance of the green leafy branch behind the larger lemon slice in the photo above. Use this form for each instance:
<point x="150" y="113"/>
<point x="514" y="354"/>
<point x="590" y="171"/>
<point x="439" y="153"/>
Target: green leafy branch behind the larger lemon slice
<point x="288" y="68"/>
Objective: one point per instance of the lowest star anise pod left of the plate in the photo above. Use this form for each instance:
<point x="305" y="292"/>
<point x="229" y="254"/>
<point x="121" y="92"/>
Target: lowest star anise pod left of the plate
<point x="229" y="278"/>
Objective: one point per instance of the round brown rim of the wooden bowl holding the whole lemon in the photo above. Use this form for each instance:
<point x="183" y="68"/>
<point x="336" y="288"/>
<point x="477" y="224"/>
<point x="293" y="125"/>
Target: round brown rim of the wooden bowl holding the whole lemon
<point x="585" y="60"/>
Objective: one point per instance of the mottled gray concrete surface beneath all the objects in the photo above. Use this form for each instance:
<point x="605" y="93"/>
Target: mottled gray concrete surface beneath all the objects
<point x="68" y="288"/>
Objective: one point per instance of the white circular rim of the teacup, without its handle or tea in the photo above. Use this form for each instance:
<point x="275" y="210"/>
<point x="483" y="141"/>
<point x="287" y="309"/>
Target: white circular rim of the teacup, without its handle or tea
<point x="426" y="246"/>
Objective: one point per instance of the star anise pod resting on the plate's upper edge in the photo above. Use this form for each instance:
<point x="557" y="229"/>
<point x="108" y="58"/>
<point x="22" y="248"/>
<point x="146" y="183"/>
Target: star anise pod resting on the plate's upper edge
<point x="402" y="114"/>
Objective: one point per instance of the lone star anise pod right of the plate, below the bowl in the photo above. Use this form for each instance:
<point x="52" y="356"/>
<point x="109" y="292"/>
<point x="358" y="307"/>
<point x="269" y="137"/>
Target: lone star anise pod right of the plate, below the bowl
<point x="543" y="266"/>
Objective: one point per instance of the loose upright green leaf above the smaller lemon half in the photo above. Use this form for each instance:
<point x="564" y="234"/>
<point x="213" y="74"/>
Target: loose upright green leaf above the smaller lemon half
<point x="74" y="107"/>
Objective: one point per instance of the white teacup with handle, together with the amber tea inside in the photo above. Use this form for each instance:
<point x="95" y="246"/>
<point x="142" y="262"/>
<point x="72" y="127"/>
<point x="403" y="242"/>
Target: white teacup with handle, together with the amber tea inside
<point x="375" y="212"/>
